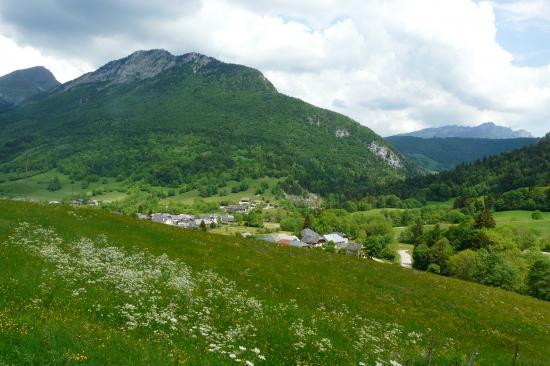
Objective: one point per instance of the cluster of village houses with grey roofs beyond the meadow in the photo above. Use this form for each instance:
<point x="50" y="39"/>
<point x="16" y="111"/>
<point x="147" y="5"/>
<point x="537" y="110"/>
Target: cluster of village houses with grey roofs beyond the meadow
<point x="334" y="241"/>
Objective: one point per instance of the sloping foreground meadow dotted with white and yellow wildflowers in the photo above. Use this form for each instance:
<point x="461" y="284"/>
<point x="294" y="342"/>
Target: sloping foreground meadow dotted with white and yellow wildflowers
<point x="80" y="285"/>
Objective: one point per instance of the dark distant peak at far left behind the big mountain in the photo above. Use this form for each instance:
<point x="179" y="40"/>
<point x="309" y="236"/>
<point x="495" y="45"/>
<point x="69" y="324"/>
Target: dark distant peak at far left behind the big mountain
<point x="20" y="85"/>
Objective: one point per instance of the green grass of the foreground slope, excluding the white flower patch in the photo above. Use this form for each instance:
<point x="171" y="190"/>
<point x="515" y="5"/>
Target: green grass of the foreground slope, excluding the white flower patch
<point x="469" y="314"/>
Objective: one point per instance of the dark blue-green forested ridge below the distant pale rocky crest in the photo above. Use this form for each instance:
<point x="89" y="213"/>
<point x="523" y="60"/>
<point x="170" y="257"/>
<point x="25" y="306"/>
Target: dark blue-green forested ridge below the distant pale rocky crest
<point x="436" y="154"/>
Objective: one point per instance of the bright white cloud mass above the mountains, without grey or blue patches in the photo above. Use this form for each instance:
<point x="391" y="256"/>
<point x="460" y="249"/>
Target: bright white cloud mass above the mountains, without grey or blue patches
<point x="394" y="65"/>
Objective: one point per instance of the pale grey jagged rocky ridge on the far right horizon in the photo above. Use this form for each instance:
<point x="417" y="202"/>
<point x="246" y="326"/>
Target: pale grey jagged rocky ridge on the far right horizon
<point x="486" y="130"/>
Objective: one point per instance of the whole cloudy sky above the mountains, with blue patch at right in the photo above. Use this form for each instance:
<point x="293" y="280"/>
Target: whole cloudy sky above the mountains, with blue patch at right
<point x="393" y="65"/>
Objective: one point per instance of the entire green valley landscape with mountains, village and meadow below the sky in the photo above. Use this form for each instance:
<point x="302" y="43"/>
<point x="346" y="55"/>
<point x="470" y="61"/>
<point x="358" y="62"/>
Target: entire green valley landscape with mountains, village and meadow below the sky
<point x="180" y="210"/>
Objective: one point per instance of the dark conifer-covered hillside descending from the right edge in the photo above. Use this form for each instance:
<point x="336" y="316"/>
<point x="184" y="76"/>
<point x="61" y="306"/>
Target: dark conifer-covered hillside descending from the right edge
<point x="526" y="168"/>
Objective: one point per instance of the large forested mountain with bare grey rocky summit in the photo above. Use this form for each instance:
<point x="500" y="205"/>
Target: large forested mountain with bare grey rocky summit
<point x="191" y="122"/>
